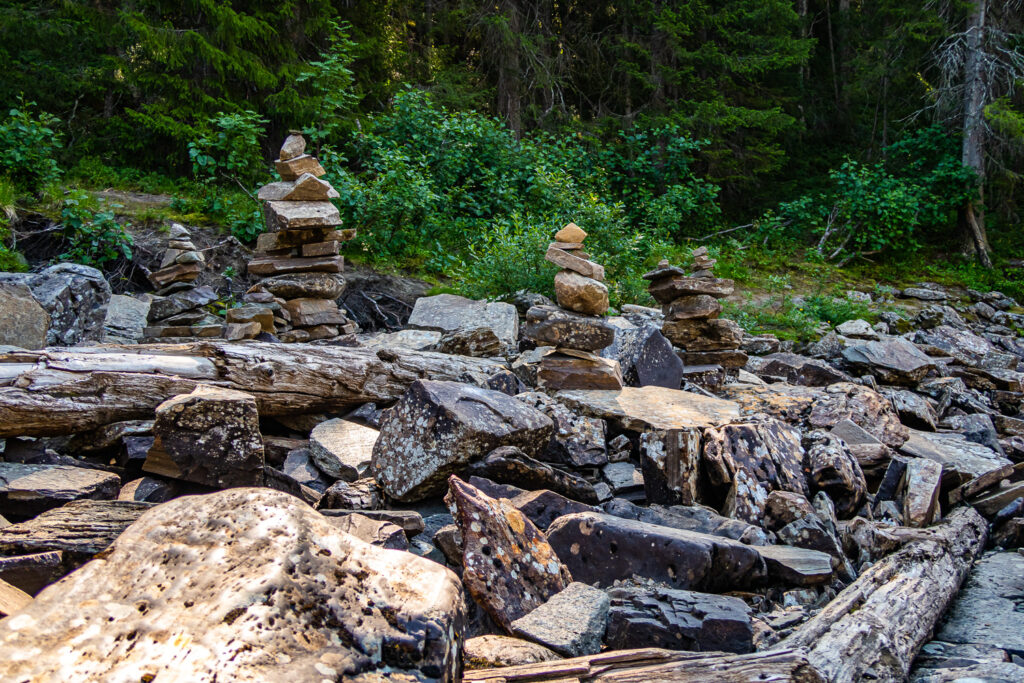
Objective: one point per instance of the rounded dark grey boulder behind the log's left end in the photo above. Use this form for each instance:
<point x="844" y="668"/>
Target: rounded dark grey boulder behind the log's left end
<point x="74" y="296"/>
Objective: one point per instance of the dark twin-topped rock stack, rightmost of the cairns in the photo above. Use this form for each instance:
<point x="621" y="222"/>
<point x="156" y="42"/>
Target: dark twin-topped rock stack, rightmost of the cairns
<point x="692" y="314"/>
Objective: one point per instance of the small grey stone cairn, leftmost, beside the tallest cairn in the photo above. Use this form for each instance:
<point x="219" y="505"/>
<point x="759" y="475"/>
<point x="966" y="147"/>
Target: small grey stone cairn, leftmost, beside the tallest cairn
<point x="177" y="311"/>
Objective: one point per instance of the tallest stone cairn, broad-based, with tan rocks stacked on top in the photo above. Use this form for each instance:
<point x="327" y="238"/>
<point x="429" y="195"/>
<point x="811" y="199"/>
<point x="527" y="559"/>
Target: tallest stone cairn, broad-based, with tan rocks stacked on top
<point x="300" y="255"/>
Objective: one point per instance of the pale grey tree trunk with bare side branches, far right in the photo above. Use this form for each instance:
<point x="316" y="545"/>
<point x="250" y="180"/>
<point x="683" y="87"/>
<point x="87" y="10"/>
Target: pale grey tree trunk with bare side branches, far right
<point x="975" y="88"/>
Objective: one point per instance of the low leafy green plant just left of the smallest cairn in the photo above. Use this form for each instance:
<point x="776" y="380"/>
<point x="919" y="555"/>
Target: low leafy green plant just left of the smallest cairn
<point x="94" y="237"/>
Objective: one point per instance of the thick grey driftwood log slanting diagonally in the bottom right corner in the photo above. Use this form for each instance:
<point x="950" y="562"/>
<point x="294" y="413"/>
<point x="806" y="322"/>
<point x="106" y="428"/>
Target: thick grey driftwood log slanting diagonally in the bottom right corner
<point x="876" y="627"/>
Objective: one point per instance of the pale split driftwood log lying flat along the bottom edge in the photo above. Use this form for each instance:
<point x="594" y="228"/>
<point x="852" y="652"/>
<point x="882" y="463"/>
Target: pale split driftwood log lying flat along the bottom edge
<point x="655" y="666"/>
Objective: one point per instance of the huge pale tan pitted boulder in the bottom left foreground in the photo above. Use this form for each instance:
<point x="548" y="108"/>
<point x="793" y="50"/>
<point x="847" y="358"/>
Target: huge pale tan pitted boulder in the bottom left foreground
<point x="244" y="585"/>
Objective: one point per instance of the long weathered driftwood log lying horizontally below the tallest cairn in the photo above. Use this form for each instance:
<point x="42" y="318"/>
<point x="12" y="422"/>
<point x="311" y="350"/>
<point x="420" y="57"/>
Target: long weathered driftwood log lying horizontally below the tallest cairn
<point x="64" y="392"/>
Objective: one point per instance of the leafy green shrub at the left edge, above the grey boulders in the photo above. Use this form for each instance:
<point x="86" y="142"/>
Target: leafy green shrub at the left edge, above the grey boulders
<point x="28" y="147"/>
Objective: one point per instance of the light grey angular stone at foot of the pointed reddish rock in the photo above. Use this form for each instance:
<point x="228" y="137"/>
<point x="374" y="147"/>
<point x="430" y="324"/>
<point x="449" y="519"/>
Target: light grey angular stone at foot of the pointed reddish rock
<point x="571" y="623"/>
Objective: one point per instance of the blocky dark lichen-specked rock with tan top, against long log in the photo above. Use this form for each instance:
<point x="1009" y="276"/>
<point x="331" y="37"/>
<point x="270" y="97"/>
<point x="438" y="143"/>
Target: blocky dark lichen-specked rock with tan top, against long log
<point x="209" y="437"/>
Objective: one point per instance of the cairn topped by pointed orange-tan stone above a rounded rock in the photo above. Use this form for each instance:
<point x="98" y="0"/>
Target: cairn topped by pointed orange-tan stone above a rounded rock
<point x="575" y="330"/>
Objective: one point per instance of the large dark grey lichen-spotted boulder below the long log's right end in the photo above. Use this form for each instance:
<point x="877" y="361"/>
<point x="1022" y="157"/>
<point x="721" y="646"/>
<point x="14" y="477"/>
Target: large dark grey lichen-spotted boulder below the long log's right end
<point x="438" y="429"/>
